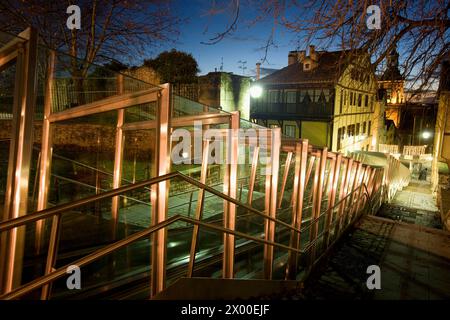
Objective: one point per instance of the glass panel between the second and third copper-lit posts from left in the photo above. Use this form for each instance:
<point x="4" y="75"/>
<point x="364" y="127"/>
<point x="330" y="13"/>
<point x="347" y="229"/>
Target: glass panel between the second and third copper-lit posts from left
<point x="83" y="156"/>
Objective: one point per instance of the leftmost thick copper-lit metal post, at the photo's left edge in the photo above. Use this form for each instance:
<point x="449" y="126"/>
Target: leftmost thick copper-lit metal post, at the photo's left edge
<point x="21" y="147"/>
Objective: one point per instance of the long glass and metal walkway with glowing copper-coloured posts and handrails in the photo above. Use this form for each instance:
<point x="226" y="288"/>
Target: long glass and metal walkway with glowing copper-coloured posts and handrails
<point x="139" y="187"/>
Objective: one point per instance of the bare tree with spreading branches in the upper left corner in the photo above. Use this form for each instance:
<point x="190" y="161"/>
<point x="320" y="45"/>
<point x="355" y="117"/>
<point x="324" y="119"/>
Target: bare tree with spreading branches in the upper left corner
<point x="109" y="28"/>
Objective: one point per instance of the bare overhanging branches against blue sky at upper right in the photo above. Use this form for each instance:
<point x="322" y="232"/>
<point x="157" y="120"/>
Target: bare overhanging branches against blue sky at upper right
<point x="419" y="28"/>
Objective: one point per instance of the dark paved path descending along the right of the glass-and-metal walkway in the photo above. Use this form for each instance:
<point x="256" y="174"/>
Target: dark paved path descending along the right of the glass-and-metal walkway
<point x="406" y="242"/>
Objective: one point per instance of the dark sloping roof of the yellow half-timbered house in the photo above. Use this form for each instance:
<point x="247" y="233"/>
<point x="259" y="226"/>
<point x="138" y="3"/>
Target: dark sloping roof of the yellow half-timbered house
<point x="330" y="67"/>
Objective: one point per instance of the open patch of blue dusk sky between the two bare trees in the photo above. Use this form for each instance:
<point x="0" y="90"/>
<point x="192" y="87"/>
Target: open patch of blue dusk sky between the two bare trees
<point x="243" y="45"/>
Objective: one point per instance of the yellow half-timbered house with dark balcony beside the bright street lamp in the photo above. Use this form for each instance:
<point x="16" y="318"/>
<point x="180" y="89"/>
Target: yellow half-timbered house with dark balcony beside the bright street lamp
<point x="329" y="98"/>
